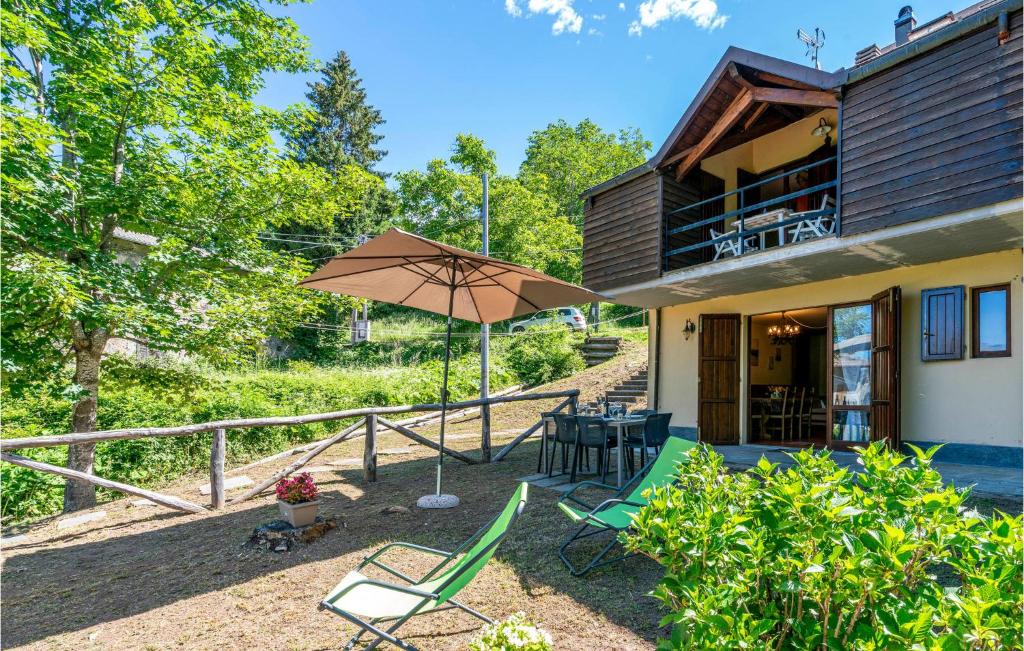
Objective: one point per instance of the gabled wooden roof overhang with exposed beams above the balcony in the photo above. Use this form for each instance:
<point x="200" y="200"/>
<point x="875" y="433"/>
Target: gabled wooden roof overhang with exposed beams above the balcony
<point x="748" y="96"/>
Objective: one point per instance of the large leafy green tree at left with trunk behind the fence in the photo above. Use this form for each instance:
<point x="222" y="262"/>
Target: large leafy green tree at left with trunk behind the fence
<point x="150" y="110"/>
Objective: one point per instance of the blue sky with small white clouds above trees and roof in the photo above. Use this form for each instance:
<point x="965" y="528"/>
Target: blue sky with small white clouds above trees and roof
<point x="499" y="70"/>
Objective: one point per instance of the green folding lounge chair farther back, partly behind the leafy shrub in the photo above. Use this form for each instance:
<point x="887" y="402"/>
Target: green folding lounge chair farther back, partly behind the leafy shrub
<point x="615" y="515"/>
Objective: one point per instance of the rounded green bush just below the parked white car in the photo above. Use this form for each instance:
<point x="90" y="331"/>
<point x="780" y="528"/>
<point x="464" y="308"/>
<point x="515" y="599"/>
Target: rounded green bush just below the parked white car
<point x="539" y="358"/>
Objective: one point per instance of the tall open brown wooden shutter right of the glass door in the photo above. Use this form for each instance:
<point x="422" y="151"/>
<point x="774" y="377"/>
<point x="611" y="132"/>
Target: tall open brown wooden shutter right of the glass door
<point x="885" y="367"/>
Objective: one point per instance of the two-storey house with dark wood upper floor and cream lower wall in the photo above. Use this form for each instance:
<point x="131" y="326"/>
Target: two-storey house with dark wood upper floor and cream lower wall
<point x="834" y="258"/>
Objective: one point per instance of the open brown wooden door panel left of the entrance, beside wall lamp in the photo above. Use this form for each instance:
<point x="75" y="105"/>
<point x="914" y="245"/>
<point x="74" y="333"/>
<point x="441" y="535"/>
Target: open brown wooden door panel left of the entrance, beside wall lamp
<point x="718" y="380"/>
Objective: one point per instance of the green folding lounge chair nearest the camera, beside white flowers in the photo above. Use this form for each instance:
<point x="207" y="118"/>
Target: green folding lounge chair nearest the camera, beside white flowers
<point x="369" y="603"/>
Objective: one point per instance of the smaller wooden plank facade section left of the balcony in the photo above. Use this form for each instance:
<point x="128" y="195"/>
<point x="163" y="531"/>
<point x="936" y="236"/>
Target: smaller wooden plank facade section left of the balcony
<point x="622" y="236"/>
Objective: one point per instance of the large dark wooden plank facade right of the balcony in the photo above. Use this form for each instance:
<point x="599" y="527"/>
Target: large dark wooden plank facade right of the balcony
<point x="936" y="135"/>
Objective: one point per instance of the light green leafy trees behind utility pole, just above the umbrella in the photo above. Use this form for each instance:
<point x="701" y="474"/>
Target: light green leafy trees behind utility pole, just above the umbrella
<point x="444" y="203"/>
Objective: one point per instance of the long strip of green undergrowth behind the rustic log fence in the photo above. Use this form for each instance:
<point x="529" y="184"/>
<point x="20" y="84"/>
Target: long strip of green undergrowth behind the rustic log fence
<point x="151" y="394"/>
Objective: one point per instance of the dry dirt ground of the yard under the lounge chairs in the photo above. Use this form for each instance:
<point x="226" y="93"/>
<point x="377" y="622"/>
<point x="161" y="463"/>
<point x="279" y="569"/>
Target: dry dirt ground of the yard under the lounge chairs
<point x="145" y="578"/>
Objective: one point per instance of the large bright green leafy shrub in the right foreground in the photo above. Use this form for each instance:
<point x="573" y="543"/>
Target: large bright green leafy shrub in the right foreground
<point x="820" y="557"/>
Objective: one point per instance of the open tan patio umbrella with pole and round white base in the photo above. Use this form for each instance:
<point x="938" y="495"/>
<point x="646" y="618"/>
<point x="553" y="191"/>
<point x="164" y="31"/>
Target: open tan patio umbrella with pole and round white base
<point x="407" y="270"/>
